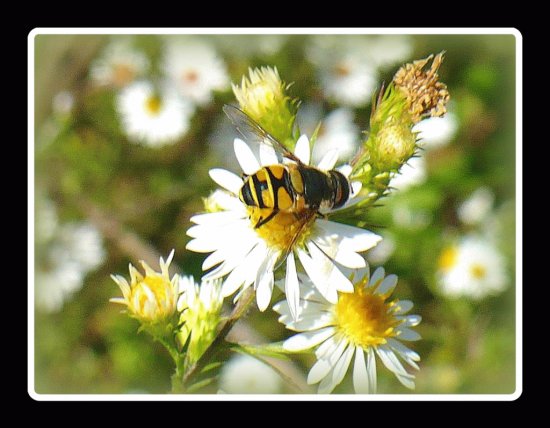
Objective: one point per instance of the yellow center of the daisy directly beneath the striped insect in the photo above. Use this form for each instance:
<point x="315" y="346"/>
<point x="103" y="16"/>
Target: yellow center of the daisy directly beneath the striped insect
<point x="283" y="230"/>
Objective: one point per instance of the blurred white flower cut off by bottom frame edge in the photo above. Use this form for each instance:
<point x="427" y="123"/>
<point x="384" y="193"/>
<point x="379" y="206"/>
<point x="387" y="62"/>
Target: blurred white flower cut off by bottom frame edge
<point x="243" y="374"/>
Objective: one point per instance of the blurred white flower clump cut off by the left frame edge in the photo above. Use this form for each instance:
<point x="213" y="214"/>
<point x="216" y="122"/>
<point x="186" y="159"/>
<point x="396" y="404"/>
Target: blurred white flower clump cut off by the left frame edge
<point x="64" y="255"/>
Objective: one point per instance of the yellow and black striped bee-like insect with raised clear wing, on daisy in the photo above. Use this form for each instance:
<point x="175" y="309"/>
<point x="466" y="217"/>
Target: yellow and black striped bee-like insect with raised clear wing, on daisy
<point x="291" y="187"/>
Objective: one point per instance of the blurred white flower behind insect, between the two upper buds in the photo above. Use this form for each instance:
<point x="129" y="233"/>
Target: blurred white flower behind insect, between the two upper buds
<point x="337" y="131"/>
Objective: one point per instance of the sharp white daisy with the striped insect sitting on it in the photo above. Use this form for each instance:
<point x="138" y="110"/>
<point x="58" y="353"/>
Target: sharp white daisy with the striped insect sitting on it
<point x="250" y="255"/>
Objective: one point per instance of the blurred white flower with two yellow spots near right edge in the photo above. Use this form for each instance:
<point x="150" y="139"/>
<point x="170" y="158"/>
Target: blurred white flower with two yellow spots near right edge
<point x="473" y="268"/>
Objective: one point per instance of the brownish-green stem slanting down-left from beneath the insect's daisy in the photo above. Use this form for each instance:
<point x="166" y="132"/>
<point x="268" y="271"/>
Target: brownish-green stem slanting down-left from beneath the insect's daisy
<point x="238" y="311"/>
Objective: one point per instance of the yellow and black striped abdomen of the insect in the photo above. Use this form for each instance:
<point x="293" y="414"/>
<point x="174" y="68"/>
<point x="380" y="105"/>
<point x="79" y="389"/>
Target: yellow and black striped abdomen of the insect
<point x="270" y="187"/>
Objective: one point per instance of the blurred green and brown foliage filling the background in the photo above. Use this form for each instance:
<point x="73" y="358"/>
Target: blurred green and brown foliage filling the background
<point x="141" y="199"/>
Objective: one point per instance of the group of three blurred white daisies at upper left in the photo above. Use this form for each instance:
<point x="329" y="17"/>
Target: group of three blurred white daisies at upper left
<point x="157" y="111"/>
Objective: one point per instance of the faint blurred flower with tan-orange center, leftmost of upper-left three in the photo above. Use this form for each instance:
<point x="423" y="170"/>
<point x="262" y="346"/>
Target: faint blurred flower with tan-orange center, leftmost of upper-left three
<point x="119" y="64"/>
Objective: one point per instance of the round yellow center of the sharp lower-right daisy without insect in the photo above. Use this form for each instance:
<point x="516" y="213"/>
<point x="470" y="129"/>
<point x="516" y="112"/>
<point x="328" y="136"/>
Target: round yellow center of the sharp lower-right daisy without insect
<point x="364" y="318"/>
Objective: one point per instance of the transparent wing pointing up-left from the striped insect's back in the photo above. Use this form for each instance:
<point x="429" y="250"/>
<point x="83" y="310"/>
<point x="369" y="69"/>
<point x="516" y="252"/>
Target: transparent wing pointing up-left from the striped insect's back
<point x="254" y="133"/>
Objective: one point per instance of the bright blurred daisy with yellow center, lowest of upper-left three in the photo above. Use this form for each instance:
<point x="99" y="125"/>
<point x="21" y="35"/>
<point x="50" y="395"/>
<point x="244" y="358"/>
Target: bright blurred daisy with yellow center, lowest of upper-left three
<point x="154" y="118"/>
